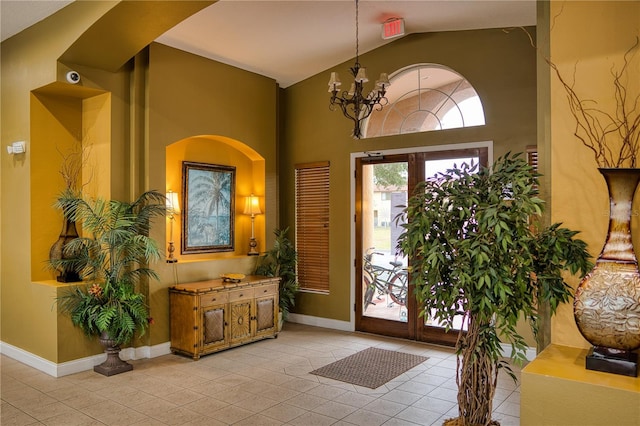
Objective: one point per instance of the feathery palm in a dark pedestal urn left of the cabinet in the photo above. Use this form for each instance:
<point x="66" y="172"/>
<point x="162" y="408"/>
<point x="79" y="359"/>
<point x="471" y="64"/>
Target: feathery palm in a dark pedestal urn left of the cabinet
<point x="113" y="257"/>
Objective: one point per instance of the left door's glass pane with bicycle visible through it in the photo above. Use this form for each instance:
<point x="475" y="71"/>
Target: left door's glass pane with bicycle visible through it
<point x="384" y="275"/>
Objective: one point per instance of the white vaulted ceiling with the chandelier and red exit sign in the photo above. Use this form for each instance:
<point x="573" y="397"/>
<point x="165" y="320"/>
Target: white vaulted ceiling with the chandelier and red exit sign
<point x="291" y="40"/>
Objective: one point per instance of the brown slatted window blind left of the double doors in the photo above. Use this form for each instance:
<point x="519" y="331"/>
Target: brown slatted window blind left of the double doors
<point x="312" y="225"/>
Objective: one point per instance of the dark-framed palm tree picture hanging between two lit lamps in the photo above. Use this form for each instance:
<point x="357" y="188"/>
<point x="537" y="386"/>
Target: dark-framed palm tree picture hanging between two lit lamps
<point x="209" y="194"/>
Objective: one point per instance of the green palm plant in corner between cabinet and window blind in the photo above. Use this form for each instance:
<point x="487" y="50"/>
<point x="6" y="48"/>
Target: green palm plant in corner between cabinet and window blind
<point x="280" y="261"/>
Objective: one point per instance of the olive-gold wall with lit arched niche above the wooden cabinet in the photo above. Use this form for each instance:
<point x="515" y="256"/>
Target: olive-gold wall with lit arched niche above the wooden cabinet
<point x="191" y="97"/>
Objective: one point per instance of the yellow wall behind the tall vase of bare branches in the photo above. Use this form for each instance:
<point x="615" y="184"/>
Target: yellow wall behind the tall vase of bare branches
<point x="590" y="38"/>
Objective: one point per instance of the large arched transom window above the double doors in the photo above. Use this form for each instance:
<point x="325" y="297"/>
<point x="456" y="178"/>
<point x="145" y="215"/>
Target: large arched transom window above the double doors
<point x="426" y="97"/>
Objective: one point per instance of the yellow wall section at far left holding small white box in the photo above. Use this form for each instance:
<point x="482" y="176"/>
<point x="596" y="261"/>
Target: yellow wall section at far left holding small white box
<point x="28" y="61"/>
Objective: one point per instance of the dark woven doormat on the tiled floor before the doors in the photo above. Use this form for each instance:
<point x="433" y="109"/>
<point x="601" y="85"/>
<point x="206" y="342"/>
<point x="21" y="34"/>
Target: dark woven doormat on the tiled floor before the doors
<point x="371" y="368"/>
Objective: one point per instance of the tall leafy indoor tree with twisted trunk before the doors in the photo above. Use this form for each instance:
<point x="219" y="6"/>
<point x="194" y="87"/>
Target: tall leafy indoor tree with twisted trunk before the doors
<point x="476" y="248"/>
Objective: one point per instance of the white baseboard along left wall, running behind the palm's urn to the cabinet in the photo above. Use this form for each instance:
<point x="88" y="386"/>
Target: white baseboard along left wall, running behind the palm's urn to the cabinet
<point x="82" y="364"/>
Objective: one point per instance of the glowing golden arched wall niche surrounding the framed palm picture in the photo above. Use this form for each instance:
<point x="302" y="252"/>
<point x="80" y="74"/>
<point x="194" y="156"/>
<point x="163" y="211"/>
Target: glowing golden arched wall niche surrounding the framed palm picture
<point x="250" y="179"/>
